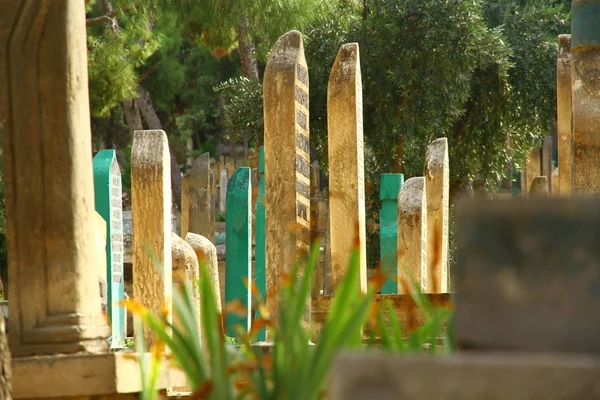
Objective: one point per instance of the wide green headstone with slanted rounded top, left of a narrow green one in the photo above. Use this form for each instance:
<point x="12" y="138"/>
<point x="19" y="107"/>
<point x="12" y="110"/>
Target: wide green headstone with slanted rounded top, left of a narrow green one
<point x="238" y="264"/>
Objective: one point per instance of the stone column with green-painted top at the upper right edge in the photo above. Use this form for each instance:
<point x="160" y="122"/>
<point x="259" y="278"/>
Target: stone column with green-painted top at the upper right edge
<point x="585" y="70"/>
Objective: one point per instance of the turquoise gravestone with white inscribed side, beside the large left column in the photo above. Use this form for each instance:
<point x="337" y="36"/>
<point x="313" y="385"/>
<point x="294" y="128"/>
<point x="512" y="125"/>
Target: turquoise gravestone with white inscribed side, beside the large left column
<point x="108" y="199"/>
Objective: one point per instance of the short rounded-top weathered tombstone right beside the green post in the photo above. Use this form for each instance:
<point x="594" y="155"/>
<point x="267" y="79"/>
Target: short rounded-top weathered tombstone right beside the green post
<point x="412" y="235"/>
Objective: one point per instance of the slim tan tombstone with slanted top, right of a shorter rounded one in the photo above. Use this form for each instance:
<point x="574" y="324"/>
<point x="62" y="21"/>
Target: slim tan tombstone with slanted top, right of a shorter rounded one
<point x="437" y="177"/>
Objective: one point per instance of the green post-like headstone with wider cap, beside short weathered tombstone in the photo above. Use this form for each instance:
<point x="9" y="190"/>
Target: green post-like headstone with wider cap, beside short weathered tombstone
<point x="390" y="185"/>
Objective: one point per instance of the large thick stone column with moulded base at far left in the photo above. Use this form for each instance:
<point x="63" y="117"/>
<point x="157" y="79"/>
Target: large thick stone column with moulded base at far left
<point x="54" y="297"/>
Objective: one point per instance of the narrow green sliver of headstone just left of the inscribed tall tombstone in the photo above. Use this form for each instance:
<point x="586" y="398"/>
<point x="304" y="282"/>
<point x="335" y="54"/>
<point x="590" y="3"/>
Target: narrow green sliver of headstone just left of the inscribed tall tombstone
<point x="260" y="249"/>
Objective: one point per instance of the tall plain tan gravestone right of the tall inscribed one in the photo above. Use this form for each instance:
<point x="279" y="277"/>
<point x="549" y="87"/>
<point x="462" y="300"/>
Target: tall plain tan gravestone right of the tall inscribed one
<point x="346" y="164"/>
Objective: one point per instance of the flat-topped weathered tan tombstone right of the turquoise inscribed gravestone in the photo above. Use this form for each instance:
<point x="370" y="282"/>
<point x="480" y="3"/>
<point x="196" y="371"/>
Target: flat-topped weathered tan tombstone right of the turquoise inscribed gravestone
<point x="151" y="212"/>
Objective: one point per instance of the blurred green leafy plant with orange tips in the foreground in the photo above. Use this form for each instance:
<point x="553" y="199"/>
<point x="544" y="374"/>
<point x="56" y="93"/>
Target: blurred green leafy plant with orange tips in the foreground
<point x="293" y="368"/>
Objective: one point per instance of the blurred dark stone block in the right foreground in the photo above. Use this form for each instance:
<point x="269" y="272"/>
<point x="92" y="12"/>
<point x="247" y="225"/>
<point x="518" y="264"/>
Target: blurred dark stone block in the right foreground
<point x="527" y="275"/>
